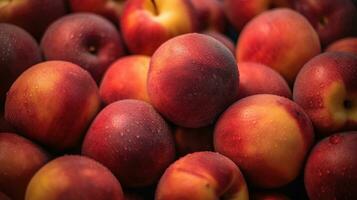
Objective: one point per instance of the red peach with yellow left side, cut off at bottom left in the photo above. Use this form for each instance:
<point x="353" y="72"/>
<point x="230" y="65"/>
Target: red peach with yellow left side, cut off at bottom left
<point x="74" y="178"/>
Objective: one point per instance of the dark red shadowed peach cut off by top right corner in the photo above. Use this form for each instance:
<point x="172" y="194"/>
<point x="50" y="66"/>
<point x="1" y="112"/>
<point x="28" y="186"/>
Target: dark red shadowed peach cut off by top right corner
<point x="325" y="16"/>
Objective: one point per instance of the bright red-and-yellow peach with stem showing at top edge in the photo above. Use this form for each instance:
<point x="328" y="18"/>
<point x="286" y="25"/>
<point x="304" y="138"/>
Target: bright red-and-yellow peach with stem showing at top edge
<point x="146" y="24"/>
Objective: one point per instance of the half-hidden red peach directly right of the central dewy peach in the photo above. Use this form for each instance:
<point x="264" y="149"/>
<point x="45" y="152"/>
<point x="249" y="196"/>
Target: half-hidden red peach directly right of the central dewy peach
<point x="255" y="78"/>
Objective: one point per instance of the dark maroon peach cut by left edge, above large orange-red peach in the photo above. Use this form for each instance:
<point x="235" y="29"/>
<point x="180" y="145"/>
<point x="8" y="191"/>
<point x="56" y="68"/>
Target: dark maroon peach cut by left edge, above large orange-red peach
<point x="18" y="51"/>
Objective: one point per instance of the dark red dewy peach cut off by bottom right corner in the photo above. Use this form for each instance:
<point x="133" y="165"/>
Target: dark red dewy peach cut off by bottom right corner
<point x="331" y="170"/>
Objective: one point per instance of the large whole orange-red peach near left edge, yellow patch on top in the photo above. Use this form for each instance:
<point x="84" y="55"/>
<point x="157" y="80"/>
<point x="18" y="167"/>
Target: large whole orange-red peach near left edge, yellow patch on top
<point x="53" y="103"/>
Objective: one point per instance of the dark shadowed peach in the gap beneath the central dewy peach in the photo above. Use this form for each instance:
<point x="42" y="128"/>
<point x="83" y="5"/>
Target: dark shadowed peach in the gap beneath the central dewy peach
<point x="190" y="140"/>
